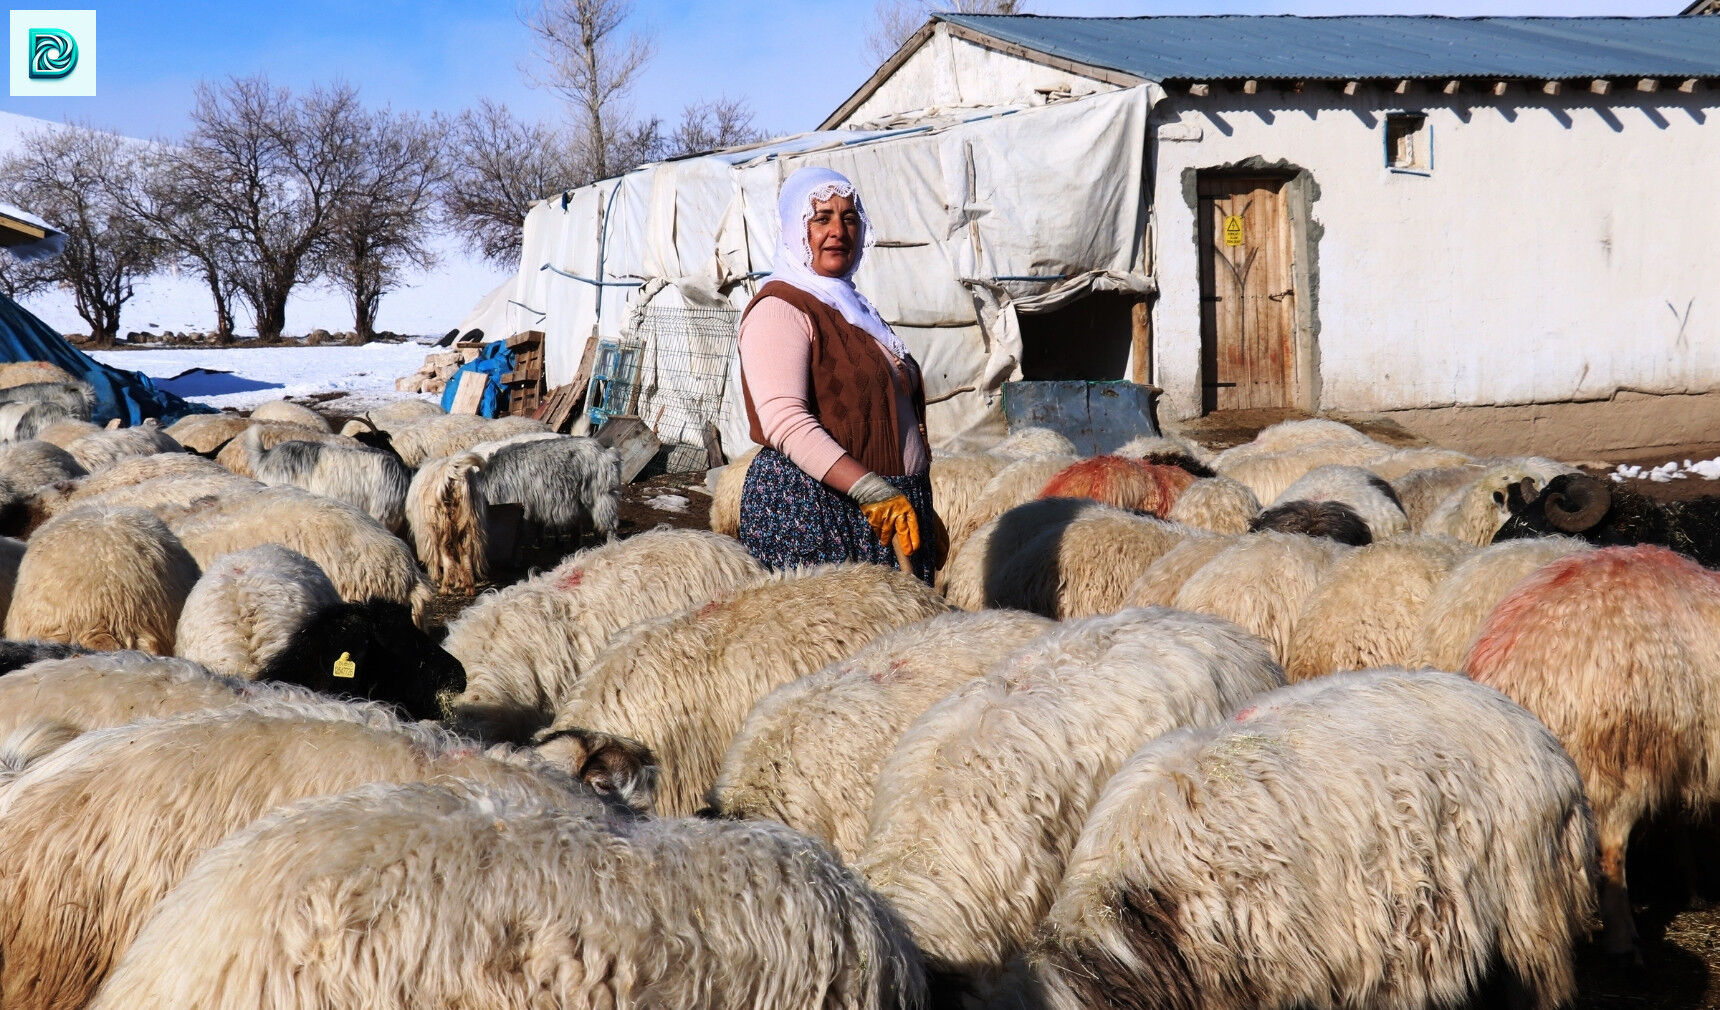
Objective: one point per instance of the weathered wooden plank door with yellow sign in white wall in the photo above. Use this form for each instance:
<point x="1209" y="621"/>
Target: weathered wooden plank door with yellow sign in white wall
<point x="1248" y="293"/>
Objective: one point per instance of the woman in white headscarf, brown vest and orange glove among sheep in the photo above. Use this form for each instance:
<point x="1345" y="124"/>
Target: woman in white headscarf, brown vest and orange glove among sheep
<point x="835" y="398"/>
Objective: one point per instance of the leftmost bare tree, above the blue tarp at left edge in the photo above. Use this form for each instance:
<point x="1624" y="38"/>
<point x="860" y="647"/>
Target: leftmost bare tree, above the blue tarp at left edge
<point x="66" y="175"/>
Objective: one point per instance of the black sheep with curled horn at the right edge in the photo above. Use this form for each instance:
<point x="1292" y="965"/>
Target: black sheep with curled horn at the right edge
<point x="1612" y="517"/>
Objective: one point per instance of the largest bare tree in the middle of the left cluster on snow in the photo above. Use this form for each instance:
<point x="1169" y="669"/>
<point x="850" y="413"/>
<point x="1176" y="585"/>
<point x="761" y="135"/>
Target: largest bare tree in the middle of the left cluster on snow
<point x="274" y="171"/>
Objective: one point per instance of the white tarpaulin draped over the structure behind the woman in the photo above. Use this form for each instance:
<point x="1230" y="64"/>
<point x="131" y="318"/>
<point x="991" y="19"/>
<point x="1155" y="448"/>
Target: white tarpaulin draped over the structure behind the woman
<point x="1016" y="211"/>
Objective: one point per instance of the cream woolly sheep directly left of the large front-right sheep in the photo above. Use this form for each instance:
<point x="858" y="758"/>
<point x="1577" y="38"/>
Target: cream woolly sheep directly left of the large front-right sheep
<point x="986" y="792"/>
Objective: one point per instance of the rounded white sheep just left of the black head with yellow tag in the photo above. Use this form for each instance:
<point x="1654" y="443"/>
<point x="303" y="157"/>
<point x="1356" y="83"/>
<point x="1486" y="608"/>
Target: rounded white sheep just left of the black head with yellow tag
<point x="247" y="607"/>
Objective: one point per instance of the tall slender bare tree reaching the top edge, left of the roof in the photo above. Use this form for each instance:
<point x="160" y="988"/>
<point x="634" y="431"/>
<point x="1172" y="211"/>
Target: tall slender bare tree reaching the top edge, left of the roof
<point x="593" y="66"/>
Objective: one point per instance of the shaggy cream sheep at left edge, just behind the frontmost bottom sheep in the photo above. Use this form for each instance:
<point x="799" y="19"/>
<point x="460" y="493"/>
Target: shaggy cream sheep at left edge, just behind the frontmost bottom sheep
<point x="161" y="792"/>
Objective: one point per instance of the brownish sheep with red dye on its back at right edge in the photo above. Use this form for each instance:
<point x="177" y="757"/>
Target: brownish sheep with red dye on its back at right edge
<point x="1618" y="651"/>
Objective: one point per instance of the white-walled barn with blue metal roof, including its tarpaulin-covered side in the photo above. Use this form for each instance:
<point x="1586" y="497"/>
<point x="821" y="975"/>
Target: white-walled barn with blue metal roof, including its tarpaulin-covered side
<point x="1499" y="231"/>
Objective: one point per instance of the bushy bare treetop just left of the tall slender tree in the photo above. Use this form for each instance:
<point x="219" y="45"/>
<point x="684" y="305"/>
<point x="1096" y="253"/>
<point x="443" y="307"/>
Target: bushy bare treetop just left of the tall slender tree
<point x="498" y="168"/>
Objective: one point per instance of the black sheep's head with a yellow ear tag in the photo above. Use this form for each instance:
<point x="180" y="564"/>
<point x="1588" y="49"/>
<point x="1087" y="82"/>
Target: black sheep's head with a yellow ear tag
<point x="371" y="651"/>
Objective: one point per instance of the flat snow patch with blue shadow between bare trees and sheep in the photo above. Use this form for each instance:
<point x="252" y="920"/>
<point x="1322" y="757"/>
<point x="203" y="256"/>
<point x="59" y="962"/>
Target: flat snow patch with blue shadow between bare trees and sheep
<point x="243" y="378"/>
